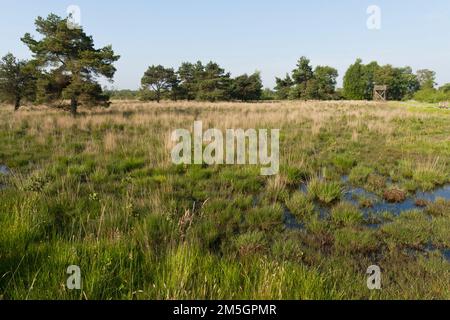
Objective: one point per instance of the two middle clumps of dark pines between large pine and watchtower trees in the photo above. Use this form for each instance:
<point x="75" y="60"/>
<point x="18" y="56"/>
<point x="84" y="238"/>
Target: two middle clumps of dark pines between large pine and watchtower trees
<point x="210" y="82"/>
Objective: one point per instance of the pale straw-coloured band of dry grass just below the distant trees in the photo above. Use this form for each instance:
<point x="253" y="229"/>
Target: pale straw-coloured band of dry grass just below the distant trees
<point x="220" y="115"/>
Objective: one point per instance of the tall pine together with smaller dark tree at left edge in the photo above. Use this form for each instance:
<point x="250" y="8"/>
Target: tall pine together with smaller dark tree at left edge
<point x="65" y="66"/>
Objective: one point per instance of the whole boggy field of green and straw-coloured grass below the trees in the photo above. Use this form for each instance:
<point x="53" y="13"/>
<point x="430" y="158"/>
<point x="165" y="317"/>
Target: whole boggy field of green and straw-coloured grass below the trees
<point x="100" y="192"/>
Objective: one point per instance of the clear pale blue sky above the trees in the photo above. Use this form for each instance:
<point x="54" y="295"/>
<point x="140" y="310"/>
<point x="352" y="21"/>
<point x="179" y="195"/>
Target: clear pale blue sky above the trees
<point x="244" y="36"/>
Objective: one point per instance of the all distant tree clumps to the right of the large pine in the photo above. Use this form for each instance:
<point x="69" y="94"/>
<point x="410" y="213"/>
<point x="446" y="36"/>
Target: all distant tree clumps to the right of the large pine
<point x="211" y="83"/>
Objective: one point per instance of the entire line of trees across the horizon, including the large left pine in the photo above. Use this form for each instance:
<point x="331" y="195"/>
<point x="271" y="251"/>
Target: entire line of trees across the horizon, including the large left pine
<point x="66" y="66"/>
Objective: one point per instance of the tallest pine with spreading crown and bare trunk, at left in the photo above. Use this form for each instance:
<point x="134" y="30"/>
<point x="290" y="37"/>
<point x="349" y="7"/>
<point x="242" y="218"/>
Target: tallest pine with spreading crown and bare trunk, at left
<point x="69" y="62"/>
